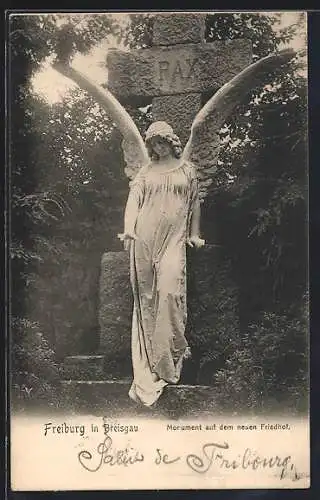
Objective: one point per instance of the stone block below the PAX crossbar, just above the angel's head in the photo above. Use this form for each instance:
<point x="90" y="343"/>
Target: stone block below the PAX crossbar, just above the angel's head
<point x="179" y="111"/>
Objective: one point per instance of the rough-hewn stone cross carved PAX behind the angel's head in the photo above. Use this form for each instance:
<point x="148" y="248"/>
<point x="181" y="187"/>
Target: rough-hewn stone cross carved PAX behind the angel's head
<point x="177" y="70"/>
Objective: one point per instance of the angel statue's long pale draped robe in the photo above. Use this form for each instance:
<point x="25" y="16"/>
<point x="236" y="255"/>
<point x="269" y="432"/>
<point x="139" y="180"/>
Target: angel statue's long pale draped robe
<point x="159" y="210"/>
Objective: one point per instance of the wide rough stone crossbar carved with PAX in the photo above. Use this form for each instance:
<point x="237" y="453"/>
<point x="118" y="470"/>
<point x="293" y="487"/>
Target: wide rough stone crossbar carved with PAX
<point x="184" y="68"/>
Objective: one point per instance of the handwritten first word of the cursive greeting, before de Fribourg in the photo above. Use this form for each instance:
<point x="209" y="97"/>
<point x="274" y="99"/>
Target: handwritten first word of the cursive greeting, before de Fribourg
<point x="110" y="456"/>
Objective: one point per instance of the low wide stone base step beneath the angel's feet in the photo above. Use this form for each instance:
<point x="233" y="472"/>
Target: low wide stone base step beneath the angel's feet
<point x="110" y="398"/>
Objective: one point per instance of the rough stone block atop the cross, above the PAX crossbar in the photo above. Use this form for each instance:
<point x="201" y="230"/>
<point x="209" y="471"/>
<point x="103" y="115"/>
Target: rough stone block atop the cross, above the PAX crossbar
<point x="171" y="29"/>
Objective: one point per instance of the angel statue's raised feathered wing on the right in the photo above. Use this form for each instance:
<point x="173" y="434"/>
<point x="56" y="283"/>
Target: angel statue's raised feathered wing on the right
<point x="203" y="145"/>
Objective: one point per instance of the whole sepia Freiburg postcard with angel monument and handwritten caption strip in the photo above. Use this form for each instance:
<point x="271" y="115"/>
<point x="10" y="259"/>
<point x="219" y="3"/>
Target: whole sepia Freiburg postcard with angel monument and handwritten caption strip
<point x="157" y="184"/>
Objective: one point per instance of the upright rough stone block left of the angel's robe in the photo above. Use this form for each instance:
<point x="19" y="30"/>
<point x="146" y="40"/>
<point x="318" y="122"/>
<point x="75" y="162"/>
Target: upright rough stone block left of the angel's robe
<point x="115" y="313"/>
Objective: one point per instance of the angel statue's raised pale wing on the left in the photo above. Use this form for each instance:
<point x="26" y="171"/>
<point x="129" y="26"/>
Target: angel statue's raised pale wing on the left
<point x="135" y="152"/>
